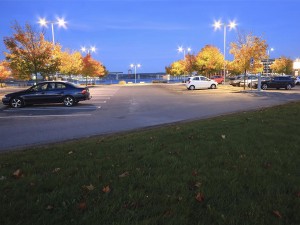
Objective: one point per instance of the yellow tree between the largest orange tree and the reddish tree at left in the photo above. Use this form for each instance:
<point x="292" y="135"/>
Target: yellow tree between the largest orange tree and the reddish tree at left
<point x="71" y="63"/>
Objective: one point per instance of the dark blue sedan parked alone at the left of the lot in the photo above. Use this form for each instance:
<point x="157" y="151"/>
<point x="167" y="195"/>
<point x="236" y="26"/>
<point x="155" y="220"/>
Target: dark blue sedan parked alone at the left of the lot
<point x="48" y="92"/>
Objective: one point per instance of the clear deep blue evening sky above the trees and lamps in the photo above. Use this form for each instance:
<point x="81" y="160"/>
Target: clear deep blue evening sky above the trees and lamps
<point x="149" y="31"/>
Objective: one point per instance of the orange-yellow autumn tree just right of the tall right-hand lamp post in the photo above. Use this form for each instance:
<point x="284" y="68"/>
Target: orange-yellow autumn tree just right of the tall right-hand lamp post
<point x="247" y="47"/>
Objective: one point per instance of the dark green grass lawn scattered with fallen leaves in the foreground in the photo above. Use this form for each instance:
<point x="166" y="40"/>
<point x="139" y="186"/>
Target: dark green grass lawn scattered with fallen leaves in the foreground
<point x="245" y="168"/>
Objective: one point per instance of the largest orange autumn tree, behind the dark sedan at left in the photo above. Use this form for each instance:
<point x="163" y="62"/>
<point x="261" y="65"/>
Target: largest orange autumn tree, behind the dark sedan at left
<point x="29" y="53"/>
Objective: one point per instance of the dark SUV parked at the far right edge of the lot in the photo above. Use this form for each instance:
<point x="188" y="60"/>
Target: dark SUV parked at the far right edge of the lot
<point x="278" y="82"/>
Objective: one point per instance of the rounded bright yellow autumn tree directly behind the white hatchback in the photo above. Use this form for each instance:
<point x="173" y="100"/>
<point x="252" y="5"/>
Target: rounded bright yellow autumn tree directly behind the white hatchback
<point x="209" y="60"/>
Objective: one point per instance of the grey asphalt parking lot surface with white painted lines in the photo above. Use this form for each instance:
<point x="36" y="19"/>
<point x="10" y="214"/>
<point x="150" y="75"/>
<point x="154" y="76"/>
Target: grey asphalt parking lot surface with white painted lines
<point x="116" y="108"/>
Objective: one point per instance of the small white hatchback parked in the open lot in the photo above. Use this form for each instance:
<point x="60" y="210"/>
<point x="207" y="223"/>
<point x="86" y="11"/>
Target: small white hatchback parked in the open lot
<point x="200" y="82"/>
